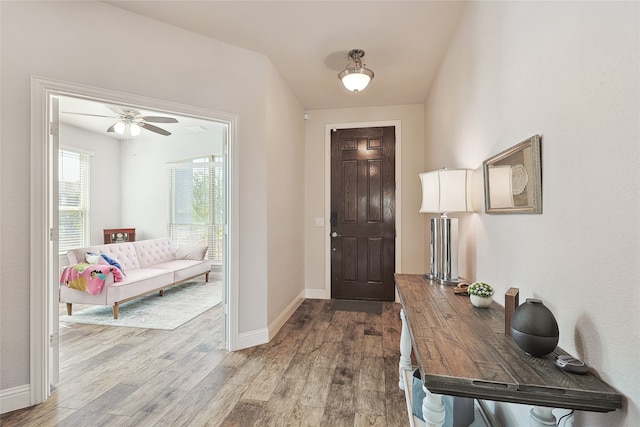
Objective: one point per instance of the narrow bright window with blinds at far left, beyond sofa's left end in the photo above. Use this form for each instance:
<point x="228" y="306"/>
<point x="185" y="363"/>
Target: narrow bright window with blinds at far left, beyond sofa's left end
<point x="73" y="199"/>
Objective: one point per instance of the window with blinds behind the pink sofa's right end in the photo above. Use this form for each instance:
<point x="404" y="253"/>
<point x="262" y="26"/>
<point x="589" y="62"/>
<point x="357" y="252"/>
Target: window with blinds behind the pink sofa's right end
<point x="196" y="204"/>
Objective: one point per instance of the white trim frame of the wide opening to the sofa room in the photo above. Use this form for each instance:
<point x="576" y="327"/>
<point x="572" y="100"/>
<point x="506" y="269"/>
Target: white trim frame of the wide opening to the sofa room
<point x="43" y="280"/>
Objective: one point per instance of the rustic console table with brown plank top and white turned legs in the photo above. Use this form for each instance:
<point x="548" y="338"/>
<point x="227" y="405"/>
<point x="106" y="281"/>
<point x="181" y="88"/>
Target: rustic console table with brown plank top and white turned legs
<point x="463" y="351"/>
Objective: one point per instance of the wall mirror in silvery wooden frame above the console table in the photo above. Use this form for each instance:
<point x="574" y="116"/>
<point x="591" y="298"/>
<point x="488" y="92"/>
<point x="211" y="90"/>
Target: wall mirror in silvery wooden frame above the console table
<point x="513" y="180"/>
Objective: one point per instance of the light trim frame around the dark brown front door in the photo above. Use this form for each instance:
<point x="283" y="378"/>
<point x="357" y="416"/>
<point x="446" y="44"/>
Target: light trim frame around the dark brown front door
<point x="328" y="128"/>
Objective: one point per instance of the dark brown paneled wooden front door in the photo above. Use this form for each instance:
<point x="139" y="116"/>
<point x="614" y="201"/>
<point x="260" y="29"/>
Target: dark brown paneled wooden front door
<point x="363" y="213"/>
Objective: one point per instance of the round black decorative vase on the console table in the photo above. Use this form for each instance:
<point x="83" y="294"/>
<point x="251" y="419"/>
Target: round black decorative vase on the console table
<point x="534" y="328"/>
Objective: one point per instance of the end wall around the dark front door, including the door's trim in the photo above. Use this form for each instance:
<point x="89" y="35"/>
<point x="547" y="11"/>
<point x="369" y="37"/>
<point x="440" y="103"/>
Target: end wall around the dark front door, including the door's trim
<point x="410" y="165"/>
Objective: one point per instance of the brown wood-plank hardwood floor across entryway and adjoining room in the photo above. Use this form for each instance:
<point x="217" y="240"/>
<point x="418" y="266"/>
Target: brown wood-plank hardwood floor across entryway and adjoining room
<point x="324" y="368"/>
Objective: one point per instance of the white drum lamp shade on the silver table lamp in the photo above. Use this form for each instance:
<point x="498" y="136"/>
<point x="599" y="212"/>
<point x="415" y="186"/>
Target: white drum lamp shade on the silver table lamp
<point x="446" y="190"/>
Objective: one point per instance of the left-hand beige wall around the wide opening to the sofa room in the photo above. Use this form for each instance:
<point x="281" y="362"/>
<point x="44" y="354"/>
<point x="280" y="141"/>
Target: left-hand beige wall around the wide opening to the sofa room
<point x="81" y="42"/>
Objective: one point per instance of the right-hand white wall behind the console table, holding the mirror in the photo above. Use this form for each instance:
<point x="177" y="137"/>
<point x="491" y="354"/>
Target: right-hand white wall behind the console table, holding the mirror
<point x="570" y="72"/>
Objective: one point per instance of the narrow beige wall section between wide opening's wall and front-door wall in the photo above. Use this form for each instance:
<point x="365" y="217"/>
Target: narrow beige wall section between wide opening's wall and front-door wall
<point x="285" y="187"/>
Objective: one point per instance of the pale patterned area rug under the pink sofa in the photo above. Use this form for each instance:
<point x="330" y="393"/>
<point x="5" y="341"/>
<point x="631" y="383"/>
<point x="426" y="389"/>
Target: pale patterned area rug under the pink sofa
<point x="180" y="304"/>
